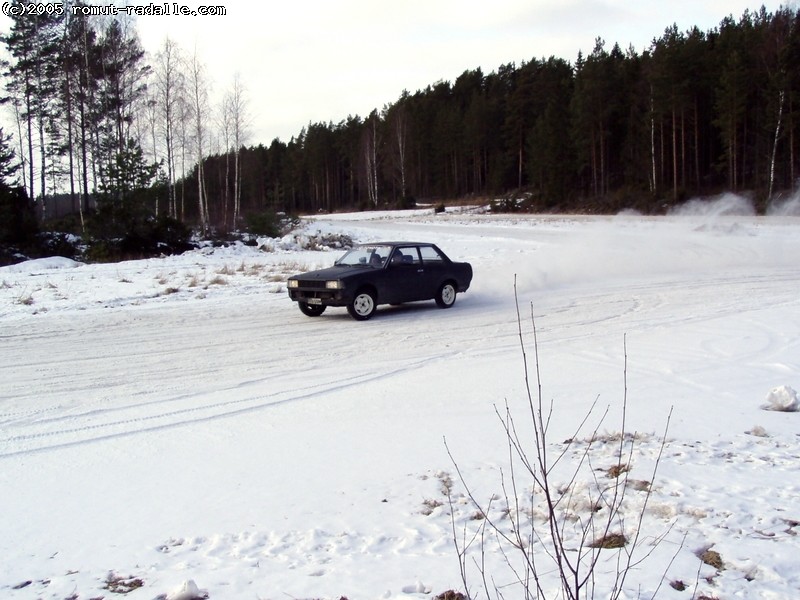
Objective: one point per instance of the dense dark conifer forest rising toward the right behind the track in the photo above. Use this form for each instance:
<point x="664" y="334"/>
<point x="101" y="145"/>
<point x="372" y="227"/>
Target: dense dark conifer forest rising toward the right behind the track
<point x="694" y="114"/>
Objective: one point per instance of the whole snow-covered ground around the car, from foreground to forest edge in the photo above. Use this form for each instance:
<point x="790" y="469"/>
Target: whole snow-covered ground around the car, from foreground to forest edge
<point x="176" y="428"/>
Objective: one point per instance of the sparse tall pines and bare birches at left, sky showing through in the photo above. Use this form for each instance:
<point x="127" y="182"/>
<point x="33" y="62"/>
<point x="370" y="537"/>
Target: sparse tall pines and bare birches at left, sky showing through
<point x="110" y="130"/>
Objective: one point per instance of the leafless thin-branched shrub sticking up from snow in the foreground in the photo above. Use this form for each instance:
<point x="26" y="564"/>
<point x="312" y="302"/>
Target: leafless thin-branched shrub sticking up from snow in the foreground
<point x="552" y="532"/>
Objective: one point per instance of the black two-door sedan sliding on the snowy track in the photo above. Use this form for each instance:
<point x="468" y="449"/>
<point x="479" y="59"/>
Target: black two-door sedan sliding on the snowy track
<point x="381" y="273"/>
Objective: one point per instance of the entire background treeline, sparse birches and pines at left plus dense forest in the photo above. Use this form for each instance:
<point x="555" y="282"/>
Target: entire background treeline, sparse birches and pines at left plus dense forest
<point x="129" y="137"/>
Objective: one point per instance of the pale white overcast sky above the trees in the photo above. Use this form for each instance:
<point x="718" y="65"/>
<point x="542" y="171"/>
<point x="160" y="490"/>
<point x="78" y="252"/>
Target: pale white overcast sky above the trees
<point x="321" y="60"/>
